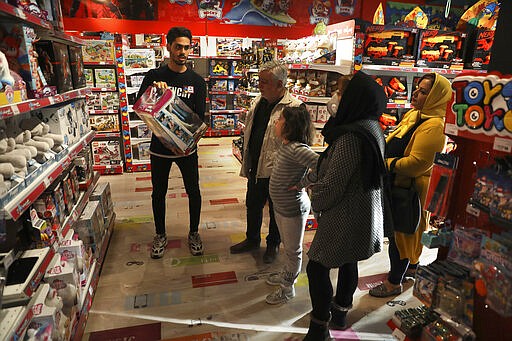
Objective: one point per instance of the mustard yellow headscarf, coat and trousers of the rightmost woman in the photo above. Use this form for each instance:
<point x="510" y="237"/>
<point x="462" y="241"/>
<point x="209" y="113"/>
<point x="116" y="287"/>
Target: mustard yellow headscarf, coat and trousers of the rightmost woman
<point x="419" y="156"/>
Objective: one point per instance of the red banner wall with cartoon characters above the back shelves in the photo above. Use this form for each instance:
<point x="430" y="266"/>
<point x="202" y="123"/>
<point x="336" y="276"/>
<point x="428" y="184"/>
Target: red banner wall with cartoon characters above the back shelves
<point x="240" y="18"/>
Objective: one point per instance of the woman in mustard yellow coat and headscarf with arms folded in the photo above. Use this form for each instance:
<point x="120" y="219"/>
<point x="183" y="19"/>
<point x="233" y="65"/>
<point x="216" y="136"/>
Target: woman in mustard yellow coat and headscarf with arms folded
<point x="415" y="141"/>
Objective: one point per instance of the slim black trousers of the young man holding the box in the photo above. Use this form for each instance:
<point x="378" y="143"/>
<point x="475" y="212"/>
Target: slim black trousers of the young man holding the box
<point x="160" y="169"/>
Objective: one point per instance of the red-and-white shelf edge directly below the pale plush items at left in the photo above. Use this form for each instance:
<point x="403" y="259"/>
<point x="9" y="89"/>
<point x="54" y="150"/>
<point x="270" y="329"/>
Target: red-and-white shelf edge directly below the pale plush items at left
<point x="15" y="207"/>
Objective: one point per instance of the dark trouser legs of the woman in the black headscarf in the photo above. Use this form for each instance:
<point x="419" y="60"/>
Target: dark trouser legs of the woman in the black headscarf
<point x="321" y="291"/>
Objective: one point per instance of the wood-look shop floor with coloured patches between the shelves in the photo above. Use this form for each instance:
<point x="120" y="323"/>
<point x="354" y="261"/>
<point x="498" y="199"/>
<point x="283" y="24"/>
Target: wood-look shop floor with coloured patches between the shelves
<point x="217" y="296"/>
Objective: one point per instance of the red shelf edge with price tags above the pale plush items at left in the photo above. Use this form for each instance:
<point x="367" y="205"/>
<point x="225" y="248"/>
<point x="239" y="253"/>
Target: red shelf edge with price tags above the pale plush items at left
<point x="32" y="104"/>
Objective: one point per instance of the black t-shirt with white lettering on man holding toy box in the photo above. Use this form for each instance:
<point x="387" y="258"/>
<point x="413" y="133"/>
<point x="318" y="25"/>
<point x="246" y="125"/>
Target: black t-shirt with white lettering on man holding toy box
<point x="188" y="85"/>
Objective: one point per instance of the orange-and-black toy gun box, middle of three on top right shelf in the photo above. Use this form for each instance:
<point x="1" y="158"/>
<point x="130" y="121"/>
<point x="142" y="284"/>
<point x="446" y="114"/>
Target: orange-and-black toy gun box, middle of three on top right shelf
<point x="440" y="49"/>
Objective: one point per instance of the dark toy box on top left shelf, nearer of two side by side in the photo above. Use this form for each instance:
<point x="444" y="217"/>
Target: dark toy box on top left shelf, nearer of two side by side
<point x="53" y="58"/>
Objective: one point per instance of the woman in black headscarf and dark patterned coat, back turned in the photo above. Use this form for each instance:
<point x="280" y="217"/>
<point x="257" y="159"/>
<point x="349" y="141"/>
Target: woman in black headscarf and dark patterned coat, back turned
<point x="348" y="201"/>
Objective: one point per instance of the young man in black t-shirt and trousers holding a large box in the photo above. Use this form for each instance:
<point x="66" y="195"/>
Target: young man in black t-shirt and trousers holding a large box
<point x="191" y="88"/>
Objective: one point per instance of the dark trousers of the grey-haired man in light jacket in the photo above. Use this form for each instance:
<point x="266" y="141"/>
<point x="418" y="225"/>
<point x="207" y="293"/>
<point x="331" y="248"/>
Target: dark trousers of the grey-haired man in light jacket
<point x="255" y="199"/>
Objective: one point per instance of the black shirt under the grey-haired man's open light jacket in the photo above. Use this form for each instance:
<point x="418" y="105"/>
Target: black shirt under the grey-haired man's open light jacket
<point x="259" y="127"/>
